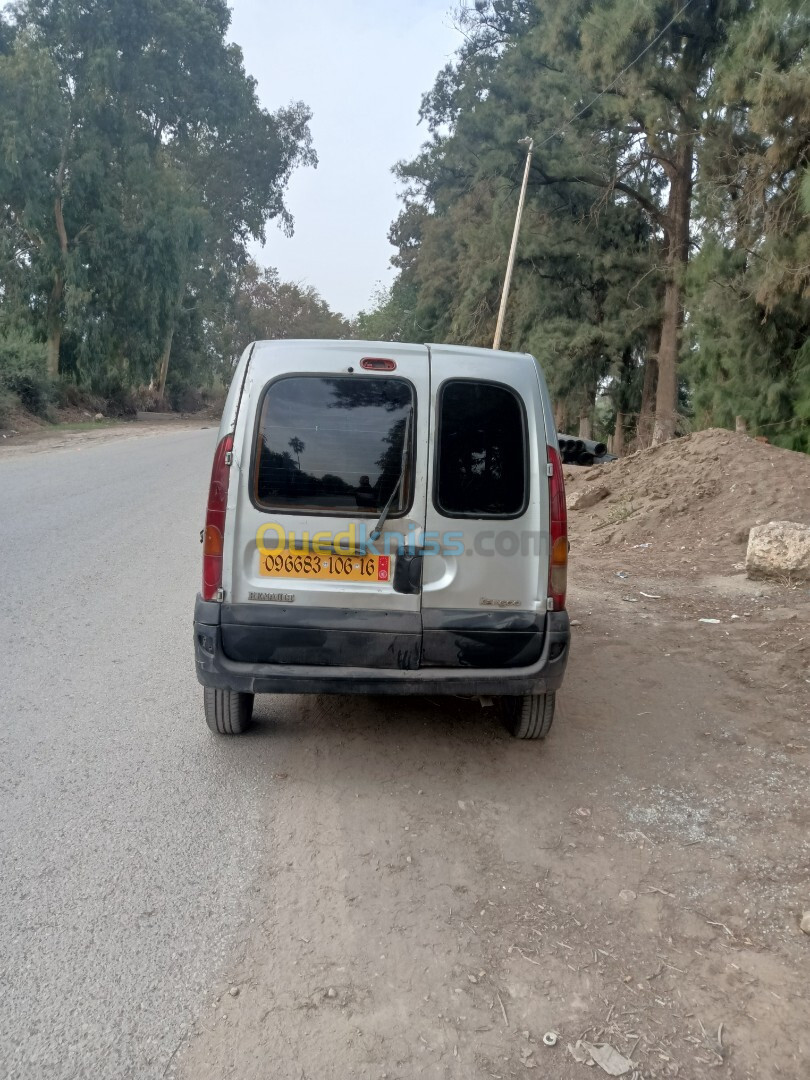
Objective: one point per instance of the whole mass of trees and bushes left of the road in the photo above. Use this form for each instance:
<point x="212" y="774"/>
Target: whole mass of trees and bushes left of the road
<point x="137" y="166"/>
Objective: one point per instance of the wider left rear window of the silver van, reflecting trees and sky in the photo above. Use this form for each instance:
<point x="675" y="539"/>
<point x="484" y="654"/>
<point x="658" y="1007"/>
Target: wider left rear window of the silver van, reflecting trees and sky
<point x="334" y="445"/>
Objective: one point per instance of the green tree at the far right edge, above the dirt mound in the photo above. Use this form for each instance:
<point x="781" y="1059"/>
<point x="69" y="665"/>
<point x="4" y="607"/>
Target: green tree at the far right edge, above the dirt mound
<point x="749" y="350"/>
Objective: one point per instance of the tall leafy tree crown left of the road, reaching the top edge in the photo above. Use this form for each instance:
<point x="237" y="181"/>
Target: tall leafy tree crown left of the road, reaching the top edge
<point x="133" y="151"/>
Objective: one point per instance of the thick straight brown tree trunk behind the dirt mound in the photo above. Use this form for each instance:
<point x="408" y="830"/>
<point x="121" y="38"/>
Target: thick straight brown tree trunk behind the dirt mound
<point x="679" y="213"/>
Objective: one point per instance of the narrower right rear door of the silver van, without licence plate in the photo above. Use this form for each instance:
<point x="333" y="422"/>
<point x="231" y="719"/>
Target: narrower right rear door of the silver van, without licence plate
<point x="484" y="593"/>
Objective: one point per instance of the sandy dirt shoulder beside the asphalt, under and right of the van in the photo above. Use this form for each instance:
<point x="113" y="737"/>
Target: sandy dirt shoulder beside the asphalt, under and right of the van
<point x="436" y="898"/>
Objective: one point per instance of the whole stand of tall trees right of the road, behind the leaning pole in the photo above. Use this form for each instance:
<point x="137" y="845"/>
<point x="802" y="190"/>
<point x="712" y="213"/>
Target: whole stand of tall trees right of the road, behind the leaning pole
<point x="664" y="269"/>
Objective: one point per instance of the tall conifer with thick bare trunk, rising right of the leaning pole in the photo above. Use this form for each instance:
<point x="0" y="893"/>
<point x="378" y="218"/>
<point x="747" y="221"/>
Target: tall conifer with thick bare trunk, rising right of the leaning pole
<point x="655" y="62"/>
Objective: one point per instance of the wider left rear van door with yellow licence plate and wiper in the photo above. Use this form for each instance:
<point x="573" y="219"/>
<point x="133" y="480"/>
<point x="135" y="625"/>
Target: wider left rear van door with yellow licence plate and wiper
<point x="333" y="437"/>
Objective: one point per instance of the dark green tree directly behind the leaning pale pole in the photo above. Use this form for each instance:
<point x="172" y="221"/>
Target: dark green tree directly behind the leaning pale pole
<point x="584" y="250"/>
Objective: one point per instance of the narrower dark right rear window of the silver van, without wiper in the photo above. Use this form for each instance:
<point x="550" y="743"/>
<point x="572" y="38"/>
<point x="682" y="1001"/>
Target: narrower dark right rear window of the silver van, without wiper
<point x="482" y="451"/>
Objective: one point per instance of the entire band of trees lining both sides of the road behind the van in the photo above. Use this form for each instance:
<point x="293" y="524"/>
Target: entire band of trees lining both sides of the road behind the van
<point x="664" y="268"/>
